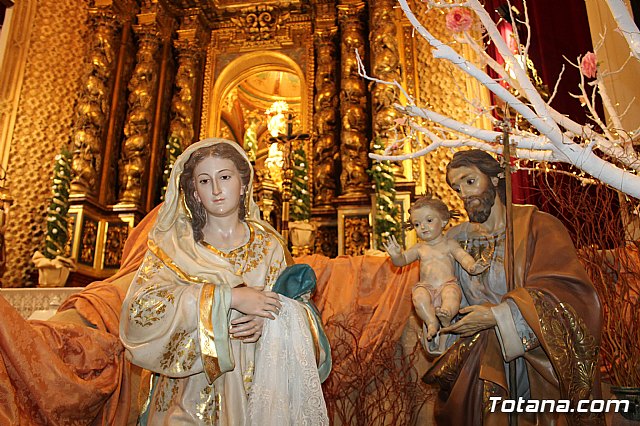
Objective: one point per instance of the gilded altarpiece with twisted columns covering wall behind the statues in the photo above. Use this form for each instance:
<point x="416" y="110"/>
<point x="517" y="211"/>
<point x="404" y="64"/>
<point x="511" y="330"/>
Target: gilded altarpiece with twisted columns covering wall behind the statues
<point x="119" y="124"/>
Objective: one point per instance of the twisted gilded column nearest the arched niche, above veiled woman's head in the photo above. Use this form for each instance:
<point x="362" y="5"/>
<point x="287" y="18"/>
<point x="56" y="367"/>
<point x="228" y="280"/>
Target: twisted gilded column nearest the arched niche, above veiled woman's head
<point x="190" y="45"/>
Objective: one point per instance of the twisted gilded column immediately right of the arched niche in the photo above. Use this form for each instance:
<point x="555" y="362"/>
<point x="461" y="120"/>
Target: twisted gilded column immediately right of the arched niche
<point x="326" y="107"/>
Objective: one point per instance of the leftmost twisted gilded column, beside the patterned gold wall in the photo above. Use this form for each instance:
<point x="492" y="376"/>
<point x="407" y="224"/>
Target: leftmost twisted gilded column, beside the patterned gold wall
<point x="93" y="108"/>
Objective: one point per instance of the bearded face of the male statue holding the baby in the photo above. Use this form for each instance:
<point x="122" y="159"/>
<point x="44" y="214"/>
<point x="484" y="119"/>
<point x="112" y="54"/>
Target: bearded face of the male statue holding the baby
<point x="477" y="191"/>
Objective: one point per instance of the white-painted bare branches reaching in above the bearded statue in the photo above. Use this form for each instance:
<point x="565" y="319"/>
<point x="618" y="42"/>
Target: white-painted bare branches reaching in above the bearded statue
<point x="560" y="139"/>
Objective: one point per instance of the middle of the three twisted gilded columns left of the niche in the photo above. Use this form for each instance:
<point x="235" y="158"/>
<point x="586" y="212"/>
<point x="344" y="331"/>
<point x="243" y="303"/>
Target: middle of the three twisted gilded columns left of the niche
<point x="153" y="29"/>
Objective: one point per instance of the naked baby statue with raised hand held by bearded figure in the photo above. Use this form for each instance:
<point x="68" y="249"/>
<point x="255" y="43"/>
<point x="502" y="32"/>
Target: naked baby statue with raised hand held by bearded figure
<point x="437" y="295"/>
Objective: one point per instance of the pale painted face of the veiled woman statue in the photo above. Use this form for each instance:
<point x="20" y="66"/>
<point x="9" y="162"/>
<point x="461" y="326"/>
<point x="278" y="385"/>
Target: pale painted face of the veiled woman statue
<point x="218" y="186"/>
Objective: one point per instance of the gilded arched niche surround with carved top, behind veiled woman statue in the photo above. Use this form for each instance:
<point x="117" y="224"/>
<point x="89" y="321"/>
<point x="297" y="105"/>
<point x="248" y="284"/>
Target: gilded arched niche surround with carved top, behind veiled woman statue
<point x="254" y="40"/>
